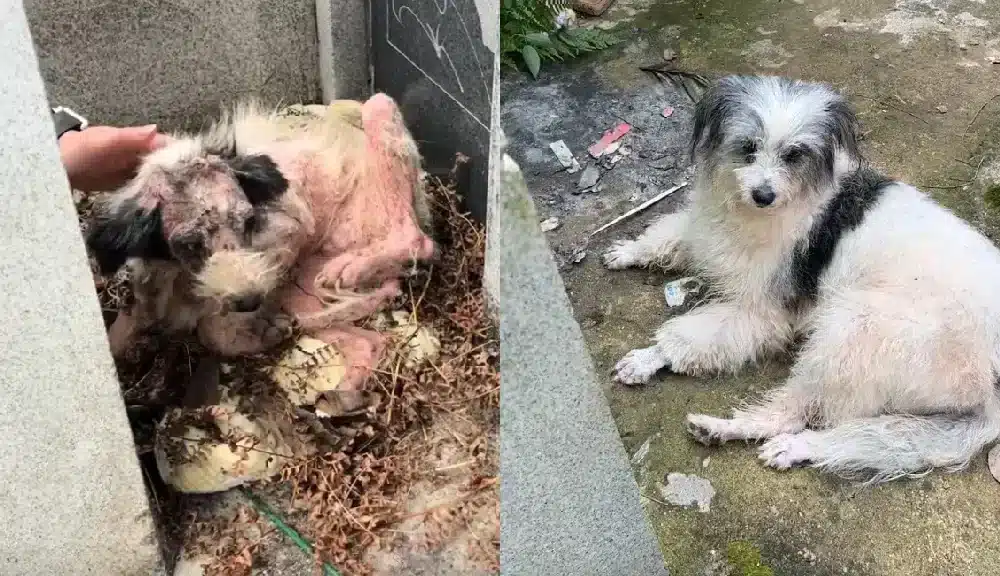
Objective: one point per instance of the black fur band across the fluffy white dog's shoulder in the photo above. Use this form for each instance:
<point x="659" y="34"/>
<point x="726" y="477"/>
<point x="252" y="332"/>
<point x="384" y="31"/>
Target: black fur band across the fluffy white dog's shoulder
<point x="858" y="193"/>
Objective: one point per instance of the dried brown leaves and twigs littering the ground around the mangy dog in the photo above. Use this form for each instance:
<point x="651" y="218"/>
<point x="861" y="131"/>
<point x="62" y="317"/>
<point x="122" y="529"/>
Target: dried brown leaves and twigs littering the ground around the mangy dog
<point x="428" y="457"/>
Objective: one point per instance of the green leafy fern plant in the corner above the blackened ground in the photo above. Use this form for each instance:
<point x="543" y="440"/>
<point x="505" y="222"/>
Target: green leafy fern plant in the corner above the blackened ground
<point x="534" y="31"/>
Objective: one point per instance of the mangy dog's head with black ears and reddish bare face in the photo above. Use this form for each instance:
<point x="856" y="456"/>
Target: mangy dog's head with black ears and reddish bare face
<point x="201" y="210"/>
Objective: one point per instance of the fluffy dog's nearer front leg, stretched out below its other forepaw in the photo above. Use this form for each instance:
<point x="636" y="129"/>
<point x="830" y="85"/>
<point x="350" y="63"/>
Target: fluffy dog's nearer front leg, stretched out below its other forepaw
<point x="720" y="337"/>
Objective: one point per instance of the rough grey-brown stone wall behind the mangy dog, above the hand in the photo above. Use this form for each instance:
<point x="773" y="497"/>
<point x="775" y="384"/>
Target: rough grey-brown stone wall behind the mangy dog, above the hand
<point x="175" y="62"/>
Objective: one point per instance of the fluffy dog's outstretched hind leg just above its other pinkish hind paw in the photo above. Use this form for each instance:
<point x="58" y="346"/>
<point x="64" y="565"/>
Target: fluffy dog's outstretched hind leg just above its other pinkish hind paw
<point x="782" y="411"/>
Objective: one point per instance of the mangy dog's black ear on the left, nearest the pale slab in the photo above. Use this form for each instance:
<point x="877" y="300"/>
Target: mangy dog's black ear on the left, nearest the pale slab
<point x="129" y="232"/>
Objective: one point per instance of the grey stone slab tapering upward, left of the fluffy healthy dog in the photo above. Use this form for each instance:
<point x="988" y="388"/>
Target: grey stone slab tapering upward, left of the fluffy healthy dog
<point x="568" y="501"/>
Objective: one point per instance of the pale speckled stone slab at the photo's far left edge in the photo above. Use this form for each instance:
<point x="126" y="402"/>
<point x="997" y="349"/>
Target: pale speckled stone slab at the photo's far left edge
<point x="71" y="491"/>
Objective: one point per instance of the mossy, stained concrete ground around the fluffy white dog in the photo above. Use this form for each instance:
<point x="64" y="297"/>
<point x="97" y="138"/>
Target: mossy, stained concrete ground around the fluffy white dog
<point x="919" y="72"/>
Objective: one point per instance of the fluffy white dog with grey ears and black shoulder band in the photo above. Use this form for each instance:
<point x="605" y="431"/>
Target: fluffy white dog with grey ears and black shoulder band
<point x="897" y="299"/>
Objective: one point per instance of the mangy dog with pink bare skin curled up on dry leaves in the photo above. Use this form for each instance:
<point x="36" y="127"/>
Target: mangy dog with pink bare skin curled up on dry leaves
<point x="250" y="228"/>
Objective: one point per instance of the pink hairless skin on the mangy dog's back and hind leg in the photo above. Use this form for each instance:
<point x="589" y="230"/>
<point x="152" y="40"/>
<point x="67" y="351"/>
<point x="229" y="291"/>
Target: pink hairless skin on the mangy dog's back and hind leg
<point x="374" y="236"/>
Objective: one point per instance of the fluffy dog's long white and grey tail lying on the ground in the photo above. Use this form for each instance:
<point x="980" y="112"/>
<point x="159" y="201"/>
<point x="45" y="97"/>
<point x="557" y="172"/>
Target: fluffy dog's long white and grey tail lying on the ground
<point x="895" y="446"/>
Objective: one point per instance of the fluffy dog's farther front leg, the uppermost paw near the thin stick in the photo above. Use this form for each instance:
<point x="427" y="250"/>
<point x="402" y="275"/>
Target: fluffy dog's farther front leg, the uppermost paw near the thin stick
<point x="661" y="245"/>
